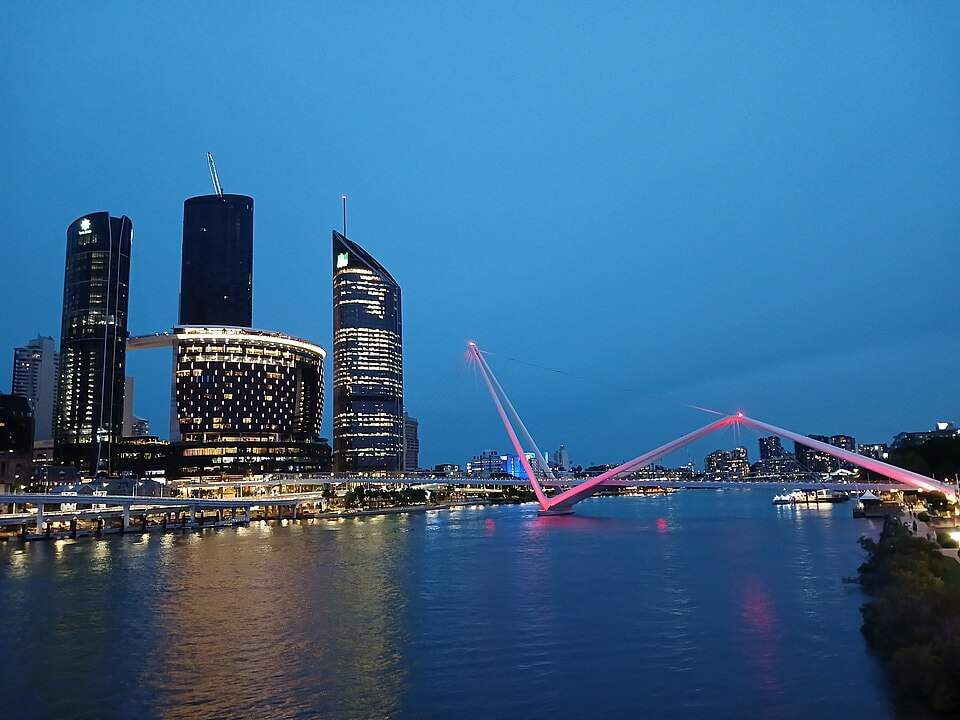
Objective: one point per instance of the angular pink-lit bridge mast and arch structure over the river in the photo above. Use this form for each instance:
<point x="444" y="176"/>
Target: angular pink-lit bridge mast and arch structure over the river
<point x="563" y="502"/>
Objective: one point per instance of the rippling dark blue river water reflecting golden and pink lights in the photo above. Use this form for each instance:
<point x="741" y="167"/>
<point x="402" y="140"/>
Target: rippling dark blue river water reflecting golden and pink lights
<point x="700" y="604"/>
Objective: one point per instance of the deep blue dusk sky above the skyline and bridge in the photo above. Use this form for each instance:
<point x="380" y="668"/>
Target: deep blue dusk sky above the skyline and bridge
<point x="733" y="205"/>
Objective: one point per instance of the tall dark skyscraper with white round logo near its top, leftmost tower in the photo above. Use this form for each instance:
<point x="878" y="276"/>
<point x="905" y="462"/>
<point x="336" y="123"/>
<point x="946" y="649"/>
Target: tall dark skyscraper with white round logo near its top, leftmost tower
<point x="93" y="342"/>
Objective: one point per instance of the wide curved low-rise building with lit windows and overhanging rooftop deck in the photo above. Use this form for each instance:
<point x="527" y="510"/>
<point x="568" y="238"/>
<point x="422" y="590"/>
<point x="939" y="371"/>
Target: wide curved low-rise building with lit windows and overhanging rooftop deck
<point x="247" y="402"/>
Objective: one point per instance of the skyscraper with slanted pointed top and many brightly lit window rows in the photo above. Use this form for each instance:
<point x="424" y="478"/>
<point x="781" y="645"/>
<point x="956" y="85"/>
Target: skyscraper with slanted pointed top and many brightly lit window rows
<point x="367" y="363"/>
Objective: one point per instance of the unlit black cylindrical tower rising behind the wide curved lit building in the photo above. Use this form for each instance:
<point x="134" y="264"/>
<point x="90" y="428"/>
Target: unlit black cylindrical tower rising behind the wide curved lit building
<point x="216" y="277"/>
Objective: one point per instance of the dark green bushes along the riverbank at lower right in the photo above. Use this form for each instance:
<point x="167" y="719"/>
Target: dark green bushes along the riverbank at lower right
<point x="912" y="619"/>
